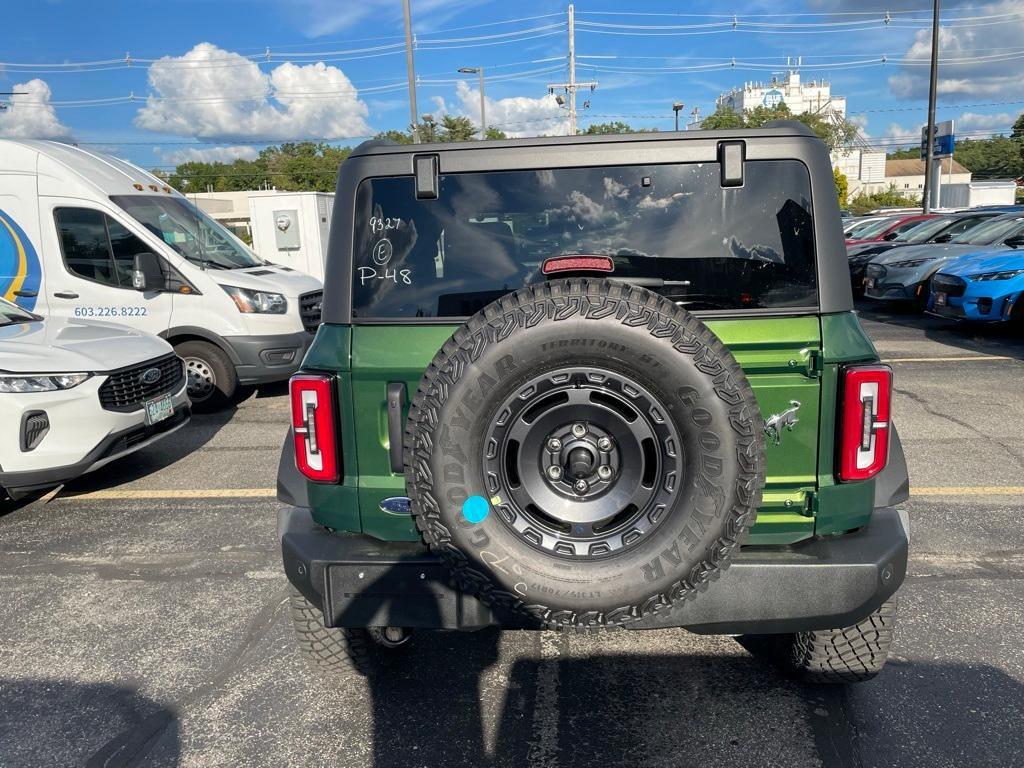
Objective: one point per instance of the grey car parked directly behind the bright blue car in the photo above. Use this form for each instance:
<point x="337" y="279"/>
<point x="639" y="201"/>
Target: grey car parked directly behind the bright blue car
<point x="903" y="274"/>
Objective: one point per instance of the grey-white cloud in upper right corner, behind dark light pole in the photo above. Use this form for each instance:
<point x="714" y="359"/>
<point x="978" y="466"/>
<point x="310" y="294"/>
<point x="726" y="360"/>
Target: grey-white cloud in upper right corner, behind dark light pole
<point x="966" y="75"/>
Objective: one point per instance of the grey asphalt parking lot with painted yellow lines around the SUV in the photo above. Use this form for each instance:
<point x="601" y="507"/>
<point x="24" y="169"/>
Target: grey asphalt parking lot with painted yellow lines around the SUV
<point x="144" y="623"/>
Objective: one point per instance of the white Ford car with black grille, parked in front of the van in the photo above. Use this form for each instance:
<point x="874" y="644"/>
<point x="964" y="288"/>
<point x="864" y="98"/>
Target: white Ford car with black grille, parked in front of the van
<point x="76" y="395"/>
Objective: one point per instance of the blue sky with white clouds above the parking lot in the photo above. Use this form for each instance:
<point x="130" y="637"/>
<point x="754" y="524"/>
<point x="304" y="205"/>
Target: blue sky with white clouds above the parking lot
<point x="160" y="83"/>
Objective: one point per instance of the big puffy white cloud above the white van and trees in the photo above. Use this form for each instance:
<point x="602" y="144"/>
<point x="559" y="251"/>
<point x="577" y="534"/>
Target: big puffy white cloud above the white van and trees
<point x="198" y="96"/>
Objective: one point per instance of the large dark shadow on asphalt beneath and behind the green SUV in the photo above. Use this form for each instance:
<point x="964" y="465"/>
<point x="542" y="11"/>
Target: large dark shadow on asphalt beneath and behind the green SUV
<point x="677" y="710"/>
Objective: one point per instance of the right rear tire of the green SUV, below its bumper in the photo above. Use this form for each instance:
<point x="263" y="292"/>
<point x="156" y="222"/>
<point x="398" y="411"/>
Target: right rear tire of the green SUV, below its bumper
<point x="849" y="655"/>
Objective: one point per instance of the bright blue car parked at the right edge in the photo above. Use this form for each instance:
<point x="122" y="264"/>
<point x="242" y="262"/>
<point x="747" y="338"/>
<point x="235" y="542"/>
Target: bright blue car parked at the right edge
<point x="987" y="287"/>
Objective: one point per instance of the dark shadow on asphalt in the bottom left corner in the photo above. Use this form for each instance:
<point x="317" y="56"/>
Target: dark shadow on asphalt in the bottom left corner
<point x="59" y="722"/>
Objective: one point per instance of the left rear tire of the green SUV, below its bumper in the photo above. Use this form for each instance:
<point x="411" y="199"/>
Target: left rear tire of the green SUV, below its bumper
<point x="343" y="652"/>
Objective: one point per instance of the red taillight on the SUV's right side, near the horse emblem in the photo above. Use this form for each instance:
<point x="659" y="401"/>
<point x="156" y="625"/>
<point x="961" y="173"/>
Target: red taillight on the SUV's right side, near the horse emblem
<point x="864" y="443"/>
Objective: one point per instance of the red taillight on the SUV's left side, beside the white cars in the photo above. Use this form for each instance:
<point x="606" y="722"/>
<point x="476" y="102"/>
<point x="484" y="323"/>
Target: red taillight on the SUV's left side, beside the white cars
<point x="314" y="423"/>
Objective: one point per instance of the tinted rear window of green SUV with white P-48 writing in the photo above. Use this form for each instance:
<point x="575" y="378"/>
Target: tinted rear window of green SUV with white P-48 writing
<point x="670" y="228"/>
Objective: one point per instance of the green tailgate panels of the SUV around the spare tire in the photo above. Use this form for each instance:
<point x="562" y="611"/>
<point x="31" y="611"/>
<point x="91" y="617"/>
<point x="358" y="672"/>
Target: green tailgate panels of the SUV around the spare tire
<point x="781" y="357"/>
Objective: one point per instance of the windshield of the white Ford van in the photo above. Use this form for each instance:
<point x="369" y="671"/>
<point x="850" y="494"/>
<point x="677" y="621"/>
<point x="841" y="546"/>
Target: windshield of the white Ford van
<point x="190" y="232"/>
